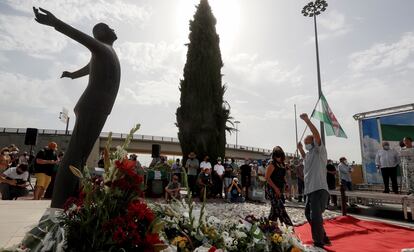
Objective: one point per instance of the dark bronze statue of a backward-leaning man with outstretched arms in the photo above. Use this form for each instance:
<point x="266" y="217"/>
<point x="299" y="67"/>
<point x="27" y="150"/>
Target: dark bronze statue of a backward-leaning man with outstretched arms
<point x="94" y="105"/>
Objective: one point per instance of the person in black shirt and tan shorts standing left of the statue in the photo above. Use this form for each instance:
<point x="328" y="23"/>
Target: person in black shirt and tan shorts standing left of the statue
<point x="45" y="162"/>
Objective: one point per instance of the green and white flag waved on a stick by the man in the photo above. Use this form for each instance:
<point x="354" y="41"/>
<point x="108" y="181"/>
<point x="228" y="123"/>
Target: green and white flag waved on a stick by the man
<point x="324" y="113"/>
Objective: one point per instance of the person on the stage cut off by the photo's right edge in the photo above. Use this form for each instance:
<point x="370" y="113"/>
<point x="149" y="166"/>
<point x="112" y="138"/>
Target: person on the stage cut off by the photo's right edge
<point x="407" y="163"/>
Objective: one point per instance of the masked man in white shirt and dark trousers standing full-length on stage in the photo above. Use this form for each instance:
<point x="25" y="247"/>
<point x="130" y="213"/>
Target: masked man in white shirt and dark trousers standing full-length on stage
<point x="387" y="160"/>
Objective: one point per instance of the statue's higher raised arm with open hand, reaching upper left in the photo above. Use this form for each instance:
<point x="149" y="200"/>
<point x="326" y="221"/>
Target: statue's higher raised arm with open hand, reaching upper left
<point x="49" y="19"/>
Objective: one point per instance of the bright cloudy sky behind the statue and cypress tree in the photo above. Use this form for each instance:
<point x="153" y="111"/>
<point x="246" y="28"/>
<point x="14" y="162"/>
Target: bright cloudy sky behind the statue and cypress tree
<point x="268" y="49"/>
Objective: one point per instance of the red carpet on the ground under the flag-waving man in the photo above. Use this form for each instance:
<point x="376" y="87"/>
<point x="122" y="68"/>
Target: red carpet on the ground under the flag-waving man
<point x="351" y="234"/>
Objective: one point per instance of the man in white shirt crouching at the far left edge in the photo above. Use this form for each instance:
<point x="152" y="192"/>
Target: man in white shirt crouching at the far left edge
<point x="13" y="182"/>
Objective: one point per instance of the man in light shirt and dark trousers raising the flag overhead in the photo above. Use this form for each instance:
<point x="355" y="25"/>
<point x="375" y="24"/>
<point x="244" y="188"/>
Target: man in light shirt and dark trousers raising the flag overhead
<point x="316" y="186"/>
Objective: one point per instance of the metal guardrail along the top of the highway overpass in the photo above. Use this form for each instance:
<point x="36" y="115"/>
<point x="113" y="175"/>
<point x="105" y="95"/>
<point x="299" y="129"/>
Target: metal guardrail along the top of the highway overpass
<point x="137" y="137"/>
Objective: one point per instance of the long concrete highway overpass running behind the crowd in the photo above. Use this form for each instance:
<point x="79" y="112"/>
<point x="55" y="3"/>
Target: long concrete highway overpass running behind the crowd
<point x="139" y="144"/>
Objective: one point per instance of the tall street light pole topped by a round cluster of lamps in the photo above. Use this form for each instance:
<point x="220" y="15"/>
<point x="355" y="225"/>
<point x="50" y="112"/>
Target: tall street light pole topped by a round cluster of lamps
<point x="313" y="9"/>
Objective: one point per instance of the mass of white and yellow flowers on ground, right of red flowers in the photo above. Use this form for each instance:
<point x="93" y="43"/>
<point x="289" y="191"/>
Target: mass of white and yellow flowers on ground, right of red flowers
<point x="189" y="228"/>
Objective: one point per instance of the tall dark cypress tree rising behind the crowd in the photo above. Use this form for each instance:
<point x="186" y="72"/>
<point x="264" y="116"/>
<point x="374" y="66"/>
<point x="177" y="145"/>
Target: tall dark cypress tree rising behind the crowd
<point x="203" y="114"/>
